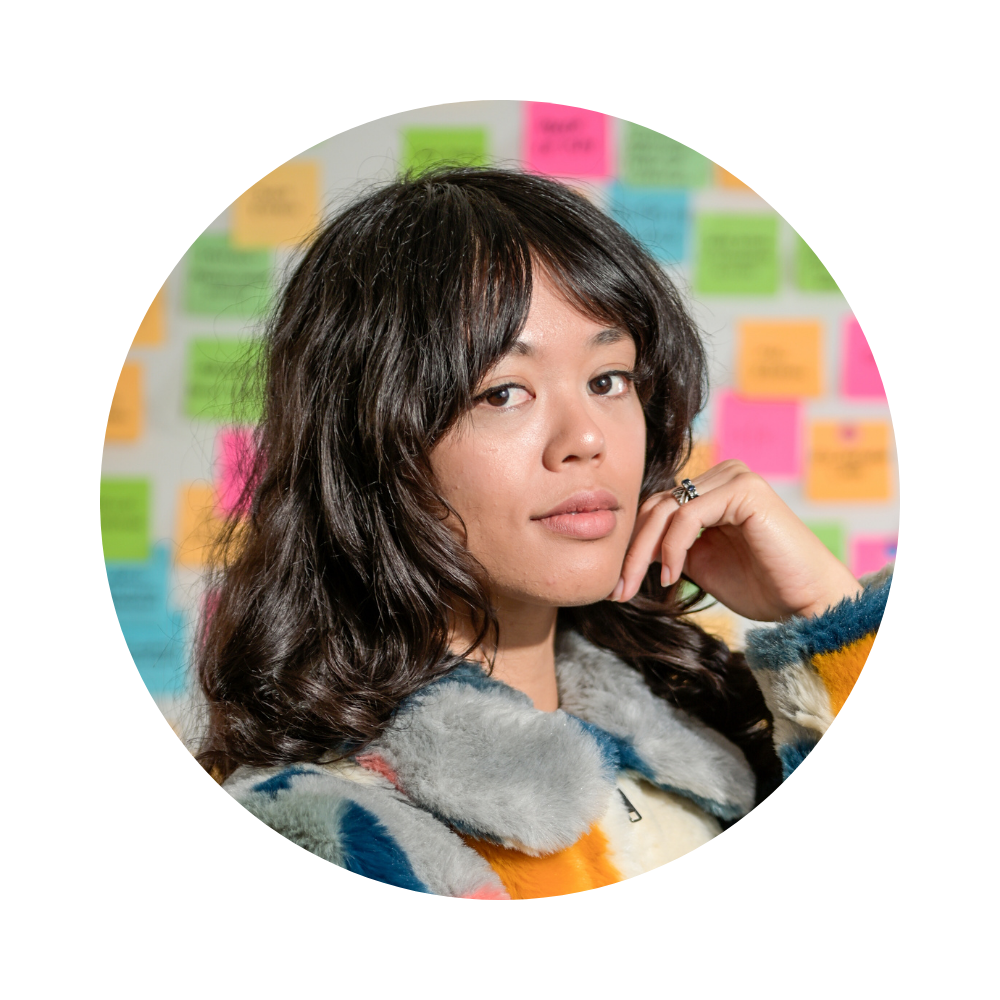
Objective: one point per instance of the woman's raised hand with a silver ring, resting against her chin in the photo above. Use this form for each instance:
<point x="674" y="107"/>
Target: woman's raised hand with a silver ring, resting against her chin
<point x="754" y="555"/>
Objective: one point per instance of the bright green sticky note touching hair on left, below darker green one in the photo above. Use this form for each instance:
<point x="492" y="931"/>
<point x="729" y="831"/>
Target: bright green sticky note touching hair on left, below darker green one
<point x="223" y="380"/>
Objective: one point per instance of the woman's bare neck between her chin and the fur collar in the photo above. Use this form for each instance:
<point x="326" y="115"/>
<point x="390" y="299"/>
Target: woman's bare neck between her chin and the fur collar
<point x="526" y="657"/>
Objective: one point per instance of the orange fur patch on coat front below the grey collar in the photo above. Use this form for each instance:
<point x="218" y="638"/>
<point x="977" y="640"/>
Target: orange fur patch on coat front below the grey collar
<point x="578" y="868"/>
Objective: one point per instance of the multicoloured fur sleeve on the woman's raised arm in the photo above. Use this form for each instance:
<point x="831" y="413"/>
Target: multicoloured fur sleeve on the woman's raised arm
<point x="807" y="667"/>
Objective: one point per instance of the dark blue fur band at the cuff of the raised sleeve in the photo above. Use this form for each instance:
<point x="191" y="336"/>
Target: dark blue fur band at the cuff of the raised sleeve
<point x="801" y="638"/>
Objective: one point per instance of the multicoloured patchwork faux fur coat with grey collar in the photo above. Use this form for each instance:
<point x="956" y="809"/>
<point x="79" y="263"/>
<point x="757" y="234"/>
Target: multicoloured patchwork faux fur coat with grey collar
<point x="474" y="793"/>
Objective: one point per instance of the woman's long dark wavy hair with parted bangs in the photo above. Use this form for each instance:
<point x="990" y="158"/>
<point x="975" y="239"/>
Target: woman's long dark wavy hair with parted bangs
<point x="333" y="604"/>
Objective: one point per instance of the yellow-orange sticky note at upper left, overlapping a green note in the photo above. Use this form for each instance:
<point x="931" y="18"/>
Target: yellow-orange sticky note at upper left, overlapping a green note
<point x="282" y="207"/>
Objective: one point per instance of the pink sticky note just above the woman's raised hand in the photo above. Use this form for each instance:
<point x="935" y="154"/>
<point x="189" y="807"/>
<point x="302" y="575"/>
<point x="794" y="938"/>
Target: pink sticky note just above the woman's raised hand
<point x="764" y="435"/>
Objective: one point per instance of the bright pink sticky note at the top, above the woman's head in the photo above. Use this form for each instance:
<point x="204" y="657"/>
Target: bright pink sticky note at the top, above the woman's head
<point x="566" y="141"/>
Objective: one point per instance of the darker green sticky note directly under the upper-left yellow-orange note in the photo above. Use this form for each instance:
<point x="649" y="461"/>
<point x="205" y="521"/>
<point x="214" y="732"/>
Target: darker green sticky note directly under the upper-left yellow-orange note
<point x="223" y="281"/>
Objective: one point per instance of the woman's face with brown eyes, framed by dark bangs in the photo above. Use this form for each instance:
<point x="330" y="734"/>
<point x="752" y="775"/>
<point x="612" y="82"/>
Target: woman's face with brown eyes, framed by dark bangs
<point x="546" y="469"/>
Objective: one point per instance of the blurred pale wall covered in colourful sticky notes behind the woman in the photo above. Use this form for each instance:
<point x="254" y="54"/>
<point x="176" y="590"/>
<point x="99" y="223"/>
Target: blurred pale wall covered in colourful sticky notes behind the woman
<point x="796" y="391"/>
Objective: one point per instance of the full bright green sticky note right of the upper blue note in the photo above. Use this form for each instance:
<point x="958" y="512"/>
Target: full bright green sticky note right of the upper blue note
<point x="736" y="253"/>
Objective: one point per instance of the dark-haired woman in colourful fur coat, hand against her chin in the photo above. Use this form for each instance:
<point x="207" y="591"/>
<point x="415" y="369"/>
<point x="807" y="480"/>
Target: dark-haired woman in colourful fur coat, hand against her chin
<point x="449" y="652"/>
